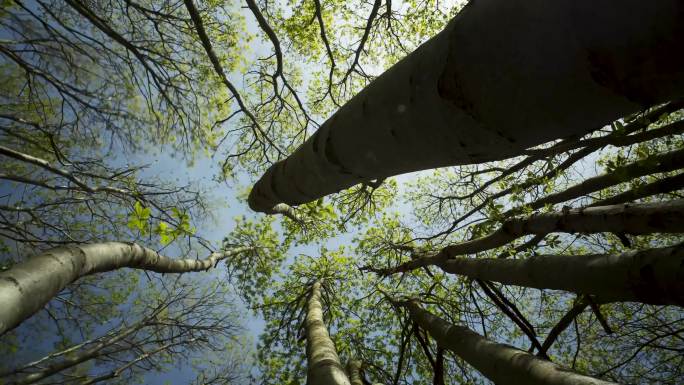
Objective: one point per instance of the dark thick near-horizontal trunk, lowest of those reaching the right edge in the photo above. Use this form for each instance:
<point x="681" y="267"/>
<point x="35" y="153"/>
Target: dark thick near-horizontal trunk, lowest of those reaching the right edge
<point x="654" y="276"/>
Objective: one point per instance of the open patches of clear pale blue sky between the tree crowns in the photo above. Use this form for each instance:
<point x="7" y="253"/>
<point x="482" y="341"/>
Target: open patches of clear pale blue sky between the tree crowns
<point x="165" y="166"/>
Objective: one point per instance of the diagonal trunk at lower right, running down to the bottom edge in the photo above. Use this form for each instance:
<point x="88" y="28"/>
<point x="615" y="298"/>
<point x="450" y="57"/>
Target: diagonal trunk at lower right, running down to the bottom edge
<point x="503" y="364"/>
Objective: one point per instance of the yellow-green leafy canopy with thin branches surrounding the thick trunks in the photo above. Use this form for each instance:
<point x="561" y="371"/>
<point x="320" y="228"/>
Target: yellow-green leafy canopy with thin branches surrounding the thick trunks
<point x="91" y="88"/>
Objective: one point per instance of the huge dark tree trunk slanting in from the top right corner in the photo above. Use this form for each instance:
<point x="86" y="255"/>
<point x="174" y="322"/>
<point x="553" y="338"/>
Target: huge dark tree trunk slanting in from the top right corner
<point x="489" y="86"/>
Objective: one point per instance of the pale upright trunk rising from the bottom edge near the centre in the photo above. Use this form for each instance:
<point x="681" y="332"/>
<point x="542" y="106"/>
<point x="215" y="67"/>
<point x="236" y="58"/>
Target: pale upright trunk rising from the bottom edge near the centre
<point x="324" y="366"/>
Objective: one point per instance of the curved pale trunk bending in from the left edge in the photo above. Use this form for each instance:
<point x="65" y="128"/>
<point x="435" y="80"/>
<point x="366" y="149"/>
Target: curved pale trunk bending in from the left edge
<point x="26" y="287"/>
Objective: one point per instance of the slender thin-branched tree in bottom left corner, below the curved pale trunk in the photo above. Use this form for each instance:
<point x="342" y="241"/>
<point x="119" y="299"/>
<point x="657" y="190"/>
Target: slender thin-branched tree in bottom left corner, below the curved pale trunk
<point x="178" y="321"/>
